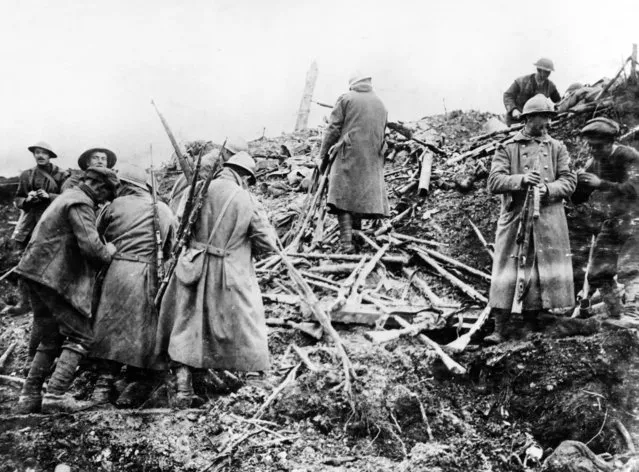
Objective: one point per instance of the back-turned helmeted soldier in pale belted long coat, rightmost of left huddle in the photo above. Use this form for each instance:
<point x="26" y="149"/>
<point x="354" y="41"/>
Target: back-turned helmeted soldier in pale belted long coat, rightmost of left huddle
<point x="212" y="315"/>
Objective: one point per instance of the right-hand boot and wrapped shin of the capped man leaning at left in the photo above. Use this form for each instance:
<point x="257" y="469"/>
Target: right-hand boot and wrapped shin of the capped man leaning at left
<point x="58" y="399"/>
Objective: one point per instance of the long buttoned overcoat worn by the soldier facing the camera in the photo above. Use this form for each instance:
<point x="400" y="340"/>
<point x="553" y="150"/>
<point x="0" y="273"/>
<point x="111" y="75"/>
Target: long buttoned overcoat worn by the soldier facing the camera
<point x="552" y="281"/>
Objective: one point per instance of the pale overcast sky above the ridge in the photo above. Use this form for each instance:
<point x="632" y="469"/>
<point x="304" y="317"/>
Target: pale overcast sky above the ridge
<point x="82" y="74"/>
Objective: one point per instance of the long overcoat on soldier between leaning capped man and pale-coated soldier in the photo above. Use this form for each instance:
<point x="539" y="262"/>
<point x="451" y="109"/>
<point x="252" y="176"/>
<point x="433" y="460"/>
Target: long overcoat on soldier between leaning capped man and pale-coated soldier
<point x="126" y="318"/>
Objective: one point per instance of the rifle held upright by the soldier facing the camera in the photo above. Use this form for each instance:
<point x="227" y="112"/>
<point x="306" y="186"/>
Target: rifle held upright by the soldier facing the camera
<point x="529" y="213"/>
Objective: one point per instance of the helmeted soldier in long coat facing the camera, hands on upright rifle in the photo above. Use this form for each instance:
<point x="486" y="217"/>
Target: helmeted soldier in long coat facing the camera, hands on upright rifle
<point x="533" y="158"/>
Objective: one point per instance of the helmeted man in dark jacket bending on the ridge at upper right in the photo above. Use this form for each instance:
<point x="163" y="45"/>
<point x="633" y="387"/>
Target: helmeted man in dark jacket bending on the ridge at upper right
<point x="526" y="87"/>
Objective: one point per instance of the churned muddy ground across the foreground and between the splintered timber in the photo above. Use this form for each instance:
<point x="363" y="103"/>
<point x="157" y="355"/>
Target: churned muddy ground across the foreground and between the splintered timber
<point x="407" y="413"/>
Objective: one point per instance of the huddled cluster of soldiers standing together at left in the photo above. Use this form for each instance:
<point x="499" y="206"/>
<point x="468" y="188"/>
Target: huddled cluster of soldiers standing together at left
<point x="92" y="245"/>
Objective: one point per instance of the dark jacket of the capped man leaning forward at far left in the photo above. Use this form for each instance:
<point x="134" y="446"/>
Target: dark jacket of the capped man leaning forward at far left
<point x="65" y="251"/>
